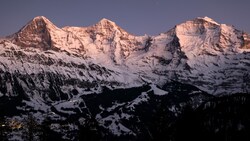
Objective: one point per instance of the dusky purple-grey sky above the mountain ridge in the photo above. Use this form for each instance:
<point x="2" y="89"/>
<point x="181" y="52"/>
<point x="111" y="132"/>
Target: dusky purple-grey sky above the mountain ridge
<point x="138" y="17"/>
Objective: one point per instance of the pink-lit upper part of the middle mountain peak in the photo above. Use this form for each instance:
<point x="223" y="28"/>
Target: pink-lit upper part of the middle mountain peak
<point x="109" y="41"/>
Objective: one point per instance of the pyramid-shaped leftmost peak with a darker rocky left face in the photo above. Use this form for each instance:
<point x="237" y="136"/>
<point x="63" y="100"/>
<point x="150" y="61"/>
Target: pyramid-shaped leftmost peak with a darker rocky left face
<point x="42" y="34"/>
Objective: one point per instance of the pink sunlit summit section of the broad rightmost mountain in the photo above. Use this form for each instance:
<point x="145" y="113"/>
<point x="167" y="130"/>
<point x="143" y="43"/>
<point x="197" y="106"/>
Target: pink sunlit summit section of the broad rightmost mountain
<point x="205" y="32"/>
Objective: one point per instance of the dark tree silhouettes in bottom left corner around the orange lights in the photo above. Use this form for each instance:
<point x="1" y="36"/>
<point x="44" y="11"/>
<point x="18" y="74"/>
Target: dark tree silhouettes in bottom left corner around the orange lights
<point x="28" y="129"/>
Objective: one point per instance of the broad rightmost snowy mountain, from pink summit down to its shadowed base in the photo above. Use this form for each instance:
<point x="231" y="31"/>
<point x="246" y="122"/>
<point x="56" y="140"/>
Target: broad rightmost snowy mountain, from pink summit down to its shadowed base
<point x="211" y="49"/>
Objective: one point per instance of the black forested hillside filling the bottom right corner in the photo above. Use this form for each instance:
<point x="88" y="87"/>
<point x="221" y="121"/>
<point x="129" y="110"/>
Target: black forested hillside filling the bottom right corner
<point x="225" y="118"/>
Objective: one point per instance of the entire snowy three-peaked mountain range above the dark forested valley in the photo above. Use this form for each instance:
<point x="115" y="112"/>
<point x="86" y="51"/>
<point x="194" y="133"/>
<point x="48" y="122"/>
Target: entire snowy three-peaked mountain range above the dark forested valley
<point x="201" y="52"/>
